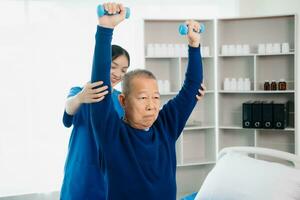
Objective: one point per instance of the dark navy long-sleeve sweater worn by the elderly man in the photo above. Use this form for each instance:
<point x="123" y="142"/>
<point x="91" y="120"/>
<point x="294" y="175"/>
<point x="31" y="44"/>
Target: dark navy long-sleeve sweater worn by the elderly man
<point x="140" y="164"/>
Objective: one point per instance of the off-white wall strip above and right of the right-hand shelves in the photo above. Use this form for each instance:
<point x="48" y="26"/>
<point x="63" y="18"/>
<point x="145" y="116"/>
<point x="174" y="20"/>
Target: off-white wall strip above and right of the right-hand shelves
<point x="277" y="7"/>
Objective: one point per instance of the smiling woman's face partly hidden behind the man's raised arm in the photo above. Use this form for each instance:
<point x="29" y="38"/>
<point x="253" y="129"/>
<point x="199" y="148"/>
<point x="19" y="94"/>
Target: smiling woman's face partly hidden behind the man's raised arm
<point x="119" y="68"/>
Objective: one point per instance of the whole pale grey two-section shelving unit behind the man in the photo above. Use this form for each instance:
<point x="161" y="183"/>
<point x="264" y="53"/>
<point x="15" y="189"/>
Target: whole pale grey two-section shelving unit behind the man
<point x="216" y="121"/>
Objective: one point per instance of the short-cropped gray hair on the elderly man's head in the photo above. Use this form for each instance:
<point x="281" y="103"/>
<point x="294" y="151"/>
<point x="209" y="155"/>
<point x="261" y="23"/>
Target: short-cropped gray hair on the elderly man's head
<point x="132" y="74"/>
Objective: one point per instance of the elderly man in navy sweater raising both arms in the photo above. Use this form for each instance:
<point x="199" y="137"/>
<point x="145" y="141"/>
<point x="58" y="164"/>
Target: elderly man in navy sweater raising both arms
<point x="137" y="152"/>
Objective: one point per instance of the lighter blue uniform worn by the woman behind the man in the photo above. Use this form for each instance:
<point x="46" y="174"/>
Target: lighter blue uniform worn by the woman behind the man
<point x="83" y="178"/>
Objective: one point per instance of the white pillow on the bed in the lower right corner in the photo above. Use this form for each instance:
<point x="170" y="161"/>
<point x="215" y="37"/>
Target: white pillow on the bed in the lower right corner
<point x="239" y="177"/>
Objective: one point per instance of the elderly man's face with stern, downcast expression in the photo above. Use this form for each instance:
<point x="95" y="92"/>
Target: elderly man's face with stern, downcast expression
<point x="143" y="102"/>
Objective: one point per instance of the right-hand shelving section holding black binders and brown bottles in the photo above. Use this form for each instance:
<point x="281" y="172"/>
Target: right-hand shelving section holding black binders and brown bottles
<point x="259" y="67"/>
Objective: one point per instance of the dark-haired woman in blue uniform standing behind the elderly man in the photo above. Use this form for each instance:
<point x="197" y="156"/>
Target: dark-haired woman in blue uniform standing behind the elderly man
<point x="83" y="177"/>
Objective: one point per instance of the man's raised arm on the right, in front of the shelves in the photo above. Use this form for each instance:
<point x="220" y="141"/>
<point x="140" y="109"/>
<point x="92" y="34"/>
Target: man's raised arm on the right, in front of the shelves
<point x="176" y="112"/>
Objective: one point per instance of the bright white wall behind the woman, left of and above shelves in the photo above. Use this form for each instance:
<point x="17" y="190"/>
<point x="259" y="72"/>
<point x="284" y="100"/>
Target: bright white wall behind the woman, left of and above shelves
<point x="45" y="48"/>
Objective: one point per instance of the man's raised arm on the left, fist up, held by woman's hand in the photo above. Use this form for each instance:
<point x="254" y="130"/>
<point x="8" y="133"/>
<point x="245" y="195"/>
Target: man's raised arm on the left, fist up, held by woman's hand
<point x="103" y="113"/>
